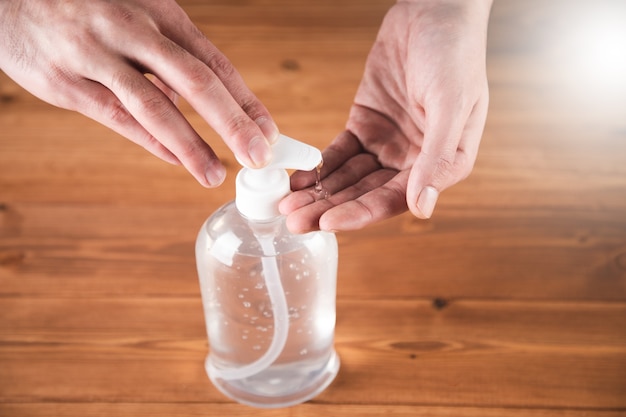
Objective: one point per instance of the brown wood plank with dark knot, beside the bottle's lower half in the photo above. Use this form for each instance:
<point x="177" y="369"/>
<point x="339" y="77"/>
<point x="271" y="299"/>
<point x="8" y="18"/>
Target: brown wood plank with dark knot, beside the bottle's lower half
<point x="467" y="353"/>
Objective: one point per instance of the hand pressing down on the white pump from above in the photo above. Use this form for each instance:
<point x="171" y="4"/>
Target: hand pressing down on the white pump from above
<point x="92" y="57"/>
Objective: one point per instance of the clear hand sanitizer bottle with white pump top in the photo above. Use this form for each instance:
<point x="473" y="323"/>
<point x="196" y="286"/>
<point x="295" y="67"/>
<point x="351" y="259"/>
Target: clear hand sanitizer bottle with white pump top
<point x="268" y="295"/>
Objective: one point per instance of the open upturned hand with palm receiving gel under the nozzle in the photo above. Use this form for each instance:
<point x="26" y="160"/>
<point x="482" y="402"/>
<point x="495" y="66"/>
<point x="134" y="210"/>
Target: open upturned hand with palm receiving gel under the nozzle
<point x="415" y="125"/>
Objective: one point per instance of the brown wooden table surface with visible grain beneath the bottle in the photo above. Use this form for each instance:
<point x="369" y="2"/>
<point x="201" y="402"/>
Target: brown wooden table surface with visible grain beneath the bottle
<point x="511" y="301"/>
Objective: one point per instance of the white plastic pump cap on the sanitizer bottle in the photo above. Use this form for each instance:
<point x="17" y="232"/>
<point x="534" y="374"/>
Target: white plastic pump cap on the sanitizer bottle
<point x="258" y="191"/>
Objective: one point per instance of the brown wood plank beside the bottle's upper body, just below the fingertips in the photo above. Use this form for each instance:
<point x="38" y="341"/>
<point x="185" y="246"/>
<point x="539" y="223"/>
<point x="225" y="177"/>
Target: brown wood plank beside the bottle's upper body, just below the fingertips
<point x="91" y="250"/>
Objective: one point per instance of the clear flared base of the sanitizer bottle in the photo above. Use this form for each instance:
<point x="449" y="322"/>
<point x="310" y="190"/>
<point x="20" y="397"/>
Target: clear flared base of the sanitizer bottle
<point x="277" y="387"/>
